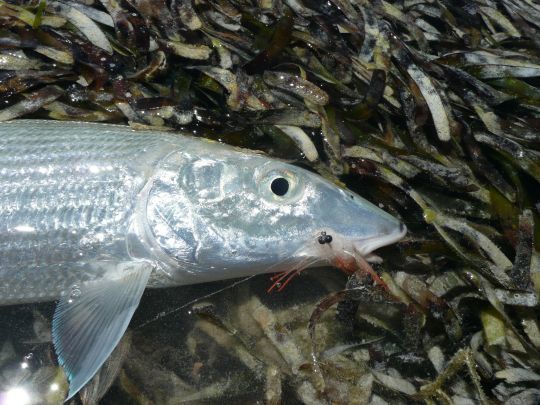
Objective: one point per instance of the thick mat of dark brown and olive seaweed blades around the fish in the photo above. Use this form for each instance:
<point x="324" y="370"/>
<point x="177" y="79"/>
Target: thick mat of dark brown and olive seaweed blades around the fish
<point x="430" y="109"/>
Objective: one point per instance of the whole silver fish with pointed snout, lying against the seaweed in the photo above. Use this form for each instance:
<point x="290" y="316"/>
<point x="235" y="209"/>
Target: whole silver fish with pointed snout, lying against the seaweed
<point x="92" y="214"/>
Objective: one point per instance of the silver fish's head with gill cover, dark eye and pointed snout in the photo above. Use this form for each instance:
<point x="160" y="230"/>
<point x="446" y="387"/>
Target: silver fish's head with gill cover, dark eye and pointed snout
<point x="237" y="214"/>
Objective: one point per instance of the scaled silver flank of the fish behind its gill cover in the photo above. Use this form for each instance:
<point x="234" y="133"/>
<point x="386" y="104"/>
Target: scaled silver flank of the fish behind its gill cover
<point x="65" y="200"/>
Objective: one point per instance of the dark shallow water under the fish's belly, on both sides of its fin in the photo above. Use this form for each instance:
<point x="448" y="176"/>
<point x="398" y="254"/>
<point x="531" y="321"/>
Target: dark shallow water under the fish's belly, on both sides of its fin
<point x="217" y="349"/>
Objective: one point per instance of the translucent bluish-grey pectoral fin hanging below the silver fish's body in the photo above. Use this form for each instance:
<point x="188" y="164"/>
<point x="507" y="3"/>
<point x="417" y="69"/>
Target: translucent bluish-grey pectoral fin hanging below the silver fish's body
<point x="87" y="327"/>
